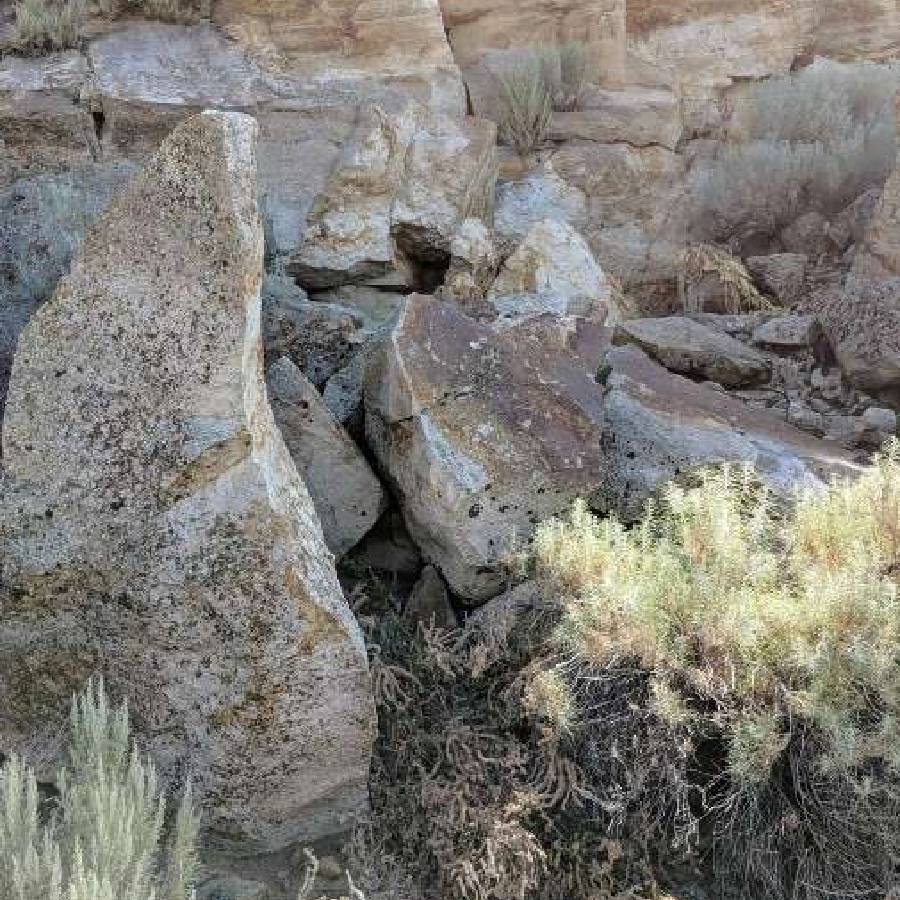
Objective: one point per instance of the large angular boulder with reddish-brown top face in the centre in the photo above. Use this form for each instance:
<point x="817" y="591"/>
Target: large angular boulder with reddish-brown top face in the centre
<point x="483" y="434"/>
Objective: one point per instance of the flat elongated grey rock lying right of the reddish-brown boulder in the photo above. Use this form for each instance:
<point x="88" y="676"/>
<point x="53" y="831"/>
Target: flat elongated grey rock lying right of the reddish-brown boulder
<point x="690" y="348"/>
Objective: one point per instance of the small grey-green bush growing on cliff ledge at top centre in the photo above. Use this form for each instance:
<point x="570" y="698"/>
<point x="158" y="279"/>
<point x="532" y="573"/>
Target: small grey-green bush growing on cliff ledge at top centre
<point x="534" y="83"/>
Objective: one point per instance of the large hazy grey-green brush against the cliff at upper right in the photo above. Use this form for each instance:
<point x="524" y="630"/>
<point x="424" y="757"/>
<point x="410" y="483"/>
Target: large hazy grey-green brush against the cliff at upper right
<point x="812" y="140"/>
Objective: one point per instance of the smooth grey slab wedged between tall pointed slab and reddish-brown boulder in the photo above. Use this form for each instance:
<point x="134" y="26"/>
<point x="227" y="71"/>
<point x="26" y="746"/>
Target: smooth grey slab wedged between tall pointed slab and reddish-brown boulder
<point x="347" y="495"/>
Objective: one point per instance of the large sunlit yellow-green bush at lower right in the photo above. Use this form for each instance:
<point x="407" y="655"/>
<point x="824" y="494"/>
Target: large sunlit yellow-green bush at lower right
<point x="772" y="637"/>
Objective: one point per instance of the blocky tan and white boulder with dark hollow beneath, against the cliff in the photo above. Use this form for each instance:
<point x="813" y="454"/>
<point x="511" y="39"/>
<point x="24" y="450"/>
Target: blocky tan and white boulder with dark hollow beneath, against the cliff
<point x="404" y="184"/>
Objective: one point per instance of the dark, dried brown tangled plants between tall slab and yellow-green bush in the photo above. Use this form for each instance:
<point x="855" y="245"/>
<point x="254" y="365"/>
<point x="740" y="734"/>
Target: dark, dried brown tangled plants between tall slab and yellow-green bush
<point x="481" y="787"/>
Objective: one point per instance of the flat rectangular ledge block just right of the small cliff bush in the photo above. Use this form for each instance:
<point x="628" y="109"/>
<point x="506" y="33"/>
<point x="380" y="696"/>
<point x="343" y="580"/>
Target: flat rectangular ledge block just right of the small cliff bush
<point x="637" y="116"/>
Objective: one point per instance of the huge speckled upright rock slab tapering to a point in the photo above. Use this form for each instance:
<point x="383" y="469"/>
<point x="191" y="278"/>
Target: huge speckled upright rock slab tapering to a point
<point x="154" y="527"/>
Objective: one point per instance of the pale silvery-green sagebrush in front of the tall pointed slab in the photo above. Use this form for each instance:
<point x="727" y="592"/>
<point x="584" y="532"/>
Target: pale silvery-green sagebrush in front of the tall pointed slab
<point x="99" y="840"/>
